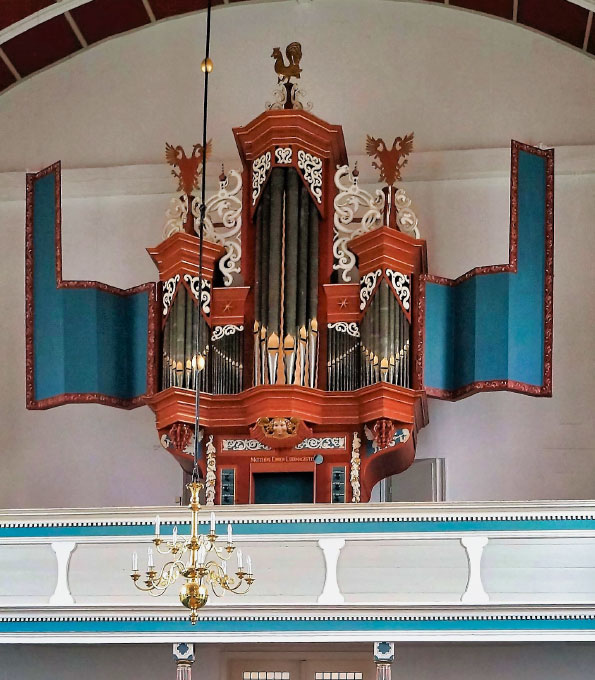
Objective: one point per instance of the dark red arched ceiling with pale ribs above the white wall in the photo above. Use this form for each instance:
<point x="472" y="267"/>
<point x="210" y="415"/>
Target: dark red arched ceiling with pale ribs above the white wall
<point x="37" y="33"/>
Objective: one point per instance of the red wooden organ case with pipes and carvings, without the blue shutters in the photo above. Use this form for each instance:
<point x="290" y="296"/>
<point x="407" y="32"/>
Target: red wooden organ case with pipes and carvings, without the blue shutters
<point x="311" y="389"/>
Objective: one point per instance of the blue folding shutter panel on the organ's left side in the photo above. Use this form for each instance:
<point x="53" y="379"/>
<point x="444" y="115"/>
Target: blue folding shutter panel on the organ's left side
<point x="85" y="340"/>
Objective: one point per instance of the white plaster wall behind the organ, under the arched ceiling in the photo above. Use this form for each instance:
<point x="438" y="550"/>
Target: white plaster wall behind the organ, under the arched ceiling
<point x="461" y="81"/>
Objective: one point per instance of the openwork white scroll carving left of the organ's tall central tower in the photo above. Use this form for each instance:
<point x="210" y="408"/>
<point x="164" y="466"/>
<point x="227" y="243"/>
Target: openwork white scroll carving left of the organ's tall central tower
<point x="223" y="222"/>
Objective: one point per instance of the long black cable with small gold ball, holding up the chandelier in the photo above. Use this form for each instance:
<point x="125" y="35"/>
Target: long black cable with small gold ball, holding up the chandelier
<point x="206" y="69"/>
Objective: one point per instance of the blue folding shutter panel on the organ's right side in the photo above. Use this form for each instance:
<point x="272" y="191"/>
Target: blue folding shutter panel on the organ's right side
<point x="491" y="326"/>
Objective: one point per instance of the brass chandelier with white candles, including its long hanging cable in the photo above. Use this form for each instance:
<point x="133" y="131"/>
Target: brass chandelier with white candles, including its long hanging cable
<point x="196" y="558"/>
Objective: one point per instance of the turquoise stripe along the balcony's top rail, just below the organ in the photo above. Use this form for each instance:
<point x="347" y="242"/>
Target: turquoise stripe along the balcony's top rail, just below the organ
<point x="324" y="528"/>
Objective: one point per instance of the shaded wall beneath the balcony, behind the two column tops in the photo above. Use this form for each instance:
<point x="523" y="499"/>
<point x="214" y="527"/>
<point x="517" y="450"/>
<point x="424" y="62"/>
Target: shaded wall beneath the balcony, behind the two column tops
<point x="545" y="661"/>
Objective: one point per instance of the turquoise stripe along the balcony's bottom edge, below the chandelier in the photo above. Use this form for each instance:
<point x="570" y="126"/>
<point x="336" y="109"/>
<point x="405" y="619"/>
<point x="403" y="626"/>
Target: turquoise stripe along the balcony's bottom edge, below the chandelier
<point x="278" y="626"/>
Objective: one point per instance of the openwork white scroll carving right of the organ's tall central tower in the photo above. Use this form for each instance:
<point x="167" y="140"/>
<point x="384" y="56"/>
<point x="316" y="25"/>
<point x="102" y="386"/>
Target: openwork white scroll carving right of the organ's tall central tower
<point x="352" y="203"/>
